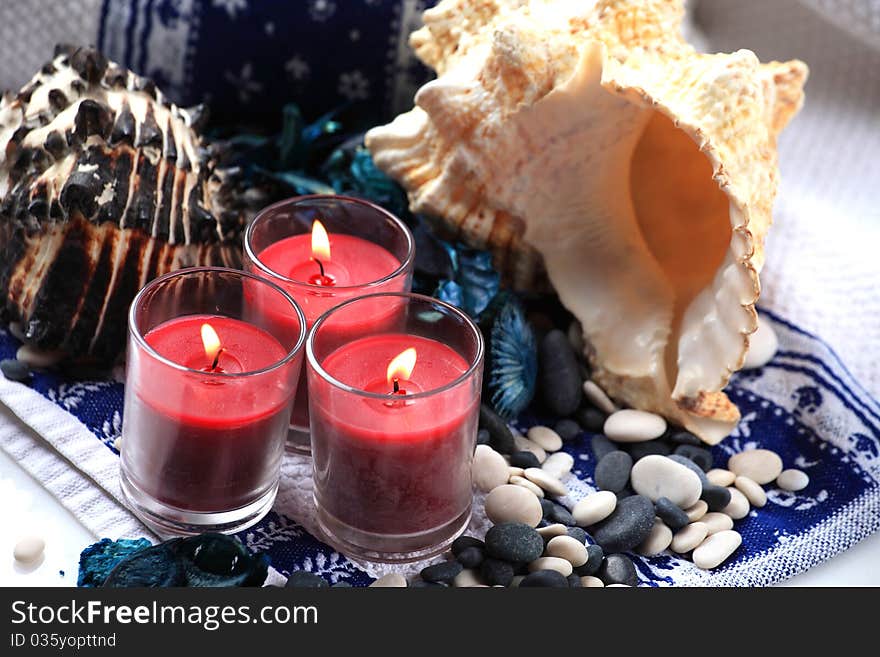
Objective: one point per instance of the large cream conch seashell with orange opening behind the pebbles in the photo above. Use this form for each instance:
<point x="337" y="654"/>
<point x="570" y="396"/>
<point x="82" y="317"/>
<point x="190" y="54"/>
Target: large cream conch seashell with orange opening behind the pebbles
<point x="592" y="138"/>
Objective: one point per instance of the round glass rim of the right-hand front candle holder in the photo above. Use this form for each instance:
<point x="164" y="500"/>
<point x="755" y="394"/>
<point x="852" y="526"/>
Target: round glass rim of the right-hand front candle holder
<point x="474" y="364"/>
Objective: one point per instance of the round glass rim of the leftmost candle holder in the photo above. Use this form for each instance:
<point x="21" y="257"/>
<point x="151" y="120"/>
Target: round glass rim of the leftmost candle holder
<point x="143" y="344"/>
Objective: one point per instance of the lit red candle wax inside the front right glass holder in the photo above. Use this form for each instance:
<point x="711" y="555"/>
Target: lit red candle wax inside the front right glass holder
<point x="398" y="465"/>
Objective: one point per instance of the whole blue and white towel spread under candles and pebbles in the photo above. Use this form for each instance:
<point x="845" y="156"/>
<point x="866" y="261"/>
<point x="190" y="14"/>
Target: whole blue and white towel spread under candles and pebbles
<point x="804" y="405"/>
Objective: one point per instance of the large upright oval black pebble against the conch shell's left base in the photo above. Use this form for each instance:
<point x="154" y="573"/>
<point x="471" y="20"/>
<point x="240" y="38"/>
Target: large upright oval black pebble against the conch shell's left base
<point x="559" y="377"/>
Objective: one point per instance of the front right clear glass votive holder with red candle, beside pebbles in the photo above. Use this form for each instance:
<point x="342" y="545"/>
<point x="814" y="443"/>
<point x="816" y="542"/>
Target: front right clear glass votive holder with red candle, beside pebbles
<point x="394" y="430"/>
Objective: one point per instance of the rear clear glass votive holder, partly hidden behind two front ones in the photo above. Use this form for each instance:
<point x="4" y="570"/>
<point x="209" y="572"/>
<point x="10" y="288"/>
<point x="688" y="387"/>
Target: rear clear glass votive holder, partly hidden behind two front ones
<point x="371" y="251"/>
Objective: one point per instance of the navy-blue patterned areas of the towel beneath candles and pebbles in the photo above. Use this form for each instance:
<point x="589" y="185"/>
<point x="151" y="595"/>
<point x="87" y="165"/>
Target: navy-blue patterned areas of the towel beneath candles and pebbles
<point x="804" y="405"/>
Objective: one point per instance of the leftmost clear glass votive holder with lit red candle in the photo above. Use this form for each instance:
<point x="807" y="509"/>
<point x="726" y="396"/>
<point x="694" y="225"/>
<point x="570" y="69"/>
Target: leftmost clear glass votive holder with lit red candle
<point x="207" y="410"/>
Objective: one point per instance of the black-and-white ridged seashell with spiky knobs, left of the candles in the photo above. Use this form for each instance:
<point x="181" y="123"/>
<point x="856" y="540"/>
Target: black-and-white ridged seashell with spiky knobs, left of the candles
<point x="104" y="185"/>
